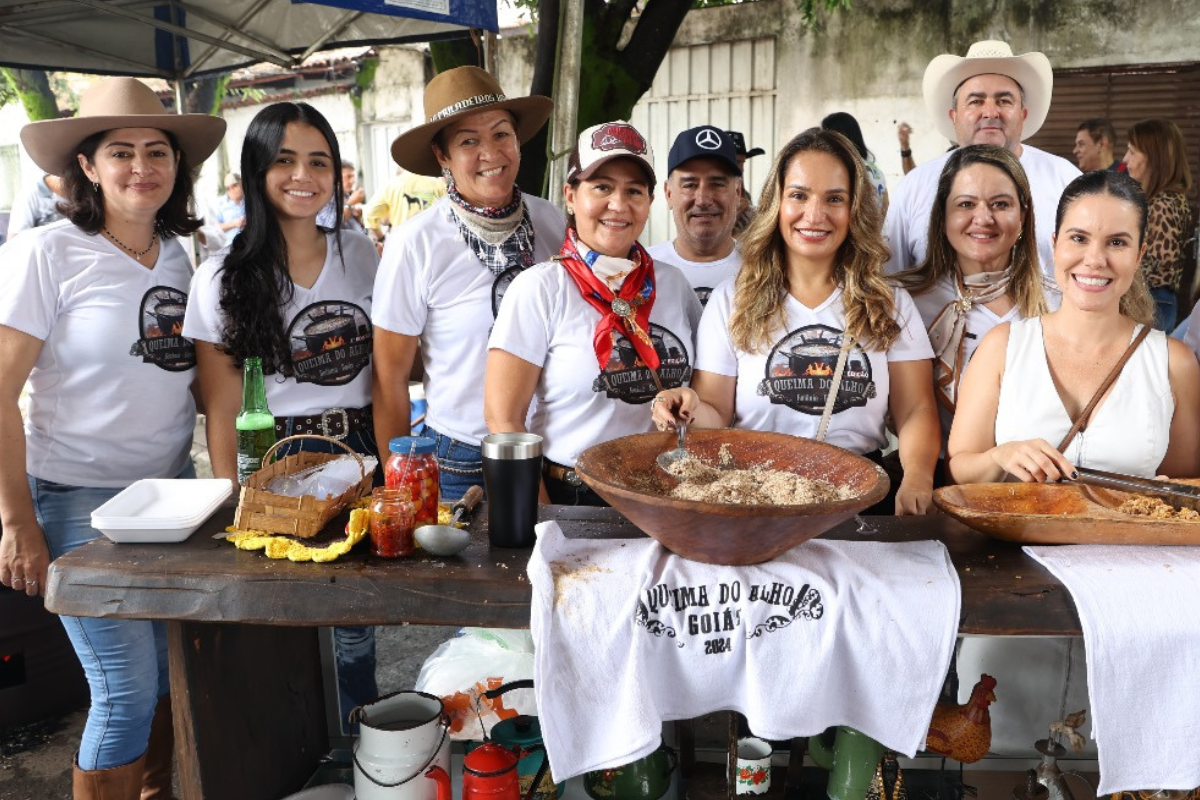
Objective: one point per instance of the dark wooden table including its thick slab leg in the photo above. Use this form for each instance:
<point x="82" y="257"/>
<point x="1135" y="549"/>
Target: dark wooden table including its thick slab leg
<point x="247" y="684"/>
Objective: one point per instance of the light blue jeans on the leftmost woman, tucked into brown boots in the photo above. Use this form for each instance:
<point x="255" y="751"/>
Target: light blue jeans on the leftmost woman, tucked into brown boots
<point x="124" y="660"/>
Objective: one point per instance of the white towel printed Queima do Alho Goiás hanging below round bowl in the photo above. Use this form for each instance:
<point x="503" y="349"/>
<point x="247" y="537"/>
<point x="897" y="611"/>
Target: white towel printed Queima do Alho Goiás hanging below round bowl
<point x="833" y="633"/>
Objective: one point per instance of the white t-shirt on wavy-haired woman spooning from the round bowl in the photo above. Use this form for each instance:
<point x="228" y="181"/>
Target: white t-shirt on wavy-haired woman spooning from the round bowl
<point x="784" y="389"/>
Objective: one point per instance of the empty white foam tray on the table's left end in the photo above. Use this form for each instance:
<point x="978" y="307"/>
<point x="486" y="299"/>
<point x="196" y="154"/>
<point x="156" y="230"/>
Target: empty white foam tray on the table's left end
<point x="160" y="510"/>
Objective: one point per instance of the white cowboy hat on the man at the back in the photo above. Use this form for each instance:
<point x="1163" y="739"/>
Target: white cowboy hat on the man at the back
<point x="946" y="73"/>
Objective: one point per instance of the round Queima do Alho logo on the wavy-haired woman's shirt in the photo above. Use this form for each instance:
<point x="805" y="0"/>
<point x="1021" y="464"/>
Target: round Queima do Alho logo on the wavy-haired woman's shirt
<point x="801" y="369"/>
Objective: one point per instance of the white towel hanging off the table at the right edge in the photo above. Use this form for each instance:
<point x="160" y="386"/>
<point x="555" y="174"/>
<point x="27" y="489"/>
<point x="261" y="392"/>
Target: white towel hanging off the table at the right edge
<point x="1138" y="609"/>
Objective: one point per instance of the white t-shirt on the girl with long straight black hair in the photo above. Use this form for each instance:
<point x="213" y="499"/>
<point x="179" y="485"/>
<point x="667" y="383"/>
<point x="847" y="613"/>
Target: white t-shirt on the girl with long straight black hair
<point x="329" y="328"/>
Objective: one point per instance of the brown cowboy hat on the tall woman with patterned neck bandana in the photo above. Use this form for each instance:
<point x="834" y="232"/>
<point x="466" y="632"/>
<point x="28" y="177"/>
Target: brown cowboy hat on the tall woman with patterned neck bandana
<point x="453" y="95"/>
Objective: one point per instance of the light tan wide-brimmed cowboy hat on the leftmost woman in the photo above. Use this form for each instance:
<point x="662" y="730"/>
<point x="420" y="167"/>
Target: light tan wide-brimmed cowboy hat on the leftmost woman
<point x="118" y="104"/>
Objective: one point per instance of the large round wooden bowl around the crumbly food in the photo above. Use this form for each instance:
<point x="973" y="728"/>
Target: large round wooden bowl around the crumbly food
<point x="625" y="473"/>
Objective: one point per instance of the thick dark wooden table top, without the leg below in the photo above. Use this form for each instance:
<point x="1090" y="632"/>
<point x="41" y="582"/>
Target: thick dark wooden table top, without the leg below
<point x="1005" y="593"/>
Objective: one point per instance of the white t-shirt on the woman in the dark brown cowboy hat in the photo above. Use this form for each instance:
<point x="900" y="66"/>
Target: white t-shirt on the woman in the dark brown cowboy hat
<point x="431" y="285"/>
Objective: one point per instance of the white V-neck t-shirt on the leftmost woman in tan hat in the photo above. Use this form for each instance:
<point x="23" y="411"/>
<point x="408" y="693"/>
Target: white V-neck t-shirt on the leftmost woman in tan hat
<point x="110" y="401"/>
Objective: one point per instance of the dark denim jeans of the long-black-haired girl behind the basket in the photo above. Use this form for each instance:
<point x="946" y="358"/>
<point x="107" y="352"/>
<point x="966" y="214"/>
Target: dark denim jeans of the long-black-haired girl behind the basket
<point x="355" y="654"/>
